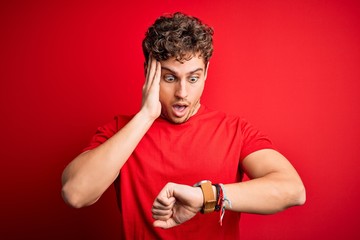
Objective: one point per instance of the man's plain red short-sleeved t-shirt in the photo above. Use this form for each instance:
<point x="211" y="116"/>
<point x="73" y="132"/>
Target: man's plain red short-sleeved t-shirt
<point x="210" y="145"/>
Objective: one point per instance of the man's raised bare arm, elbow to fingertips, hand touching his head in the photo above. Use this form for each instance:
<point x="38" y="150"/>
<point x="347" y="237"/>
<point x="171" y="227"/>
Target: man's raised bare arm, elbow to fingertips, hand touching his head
<point x="87" y="177"/>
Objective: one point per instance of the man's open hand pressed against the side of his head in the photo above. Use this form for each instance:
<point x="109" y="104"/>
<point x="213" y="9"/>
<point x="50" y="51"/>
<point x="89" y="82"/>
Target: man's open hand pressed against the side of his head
<point x="151" y="89"/>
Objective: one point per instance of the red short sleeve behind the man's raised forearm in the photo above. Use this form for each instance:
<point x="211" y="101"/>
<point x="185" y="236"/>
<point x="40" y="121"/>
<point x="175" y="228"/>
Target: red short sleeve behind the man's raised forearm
<point x="106" y="131"/>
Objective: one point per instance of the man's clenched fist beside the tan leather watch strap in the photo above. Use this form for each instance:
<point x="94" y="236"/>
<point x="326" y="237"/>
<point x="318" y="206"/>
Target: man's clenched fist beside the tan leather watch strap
<point x="176" y="204"/>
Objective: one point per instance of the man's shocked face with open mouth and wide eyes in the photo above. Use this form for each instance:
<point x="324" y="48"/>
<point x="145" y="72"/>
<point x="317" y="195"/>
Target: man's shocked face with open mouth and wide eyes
<point x="181" y="87"/>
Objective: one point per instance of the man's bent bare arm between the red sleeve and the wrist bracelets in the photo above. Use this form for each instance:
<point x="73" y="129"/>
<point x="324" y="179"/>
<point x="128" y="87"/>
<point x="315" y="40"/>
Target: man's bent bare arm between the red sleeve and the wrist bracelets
<point x="274" y="186"/>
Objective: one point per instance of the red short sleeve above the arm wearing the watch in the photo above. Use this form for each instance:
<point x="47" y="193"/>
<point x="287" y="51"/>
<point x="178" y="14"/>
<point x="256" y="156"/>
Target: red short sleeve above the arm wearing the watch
<point x="253" y="140"/>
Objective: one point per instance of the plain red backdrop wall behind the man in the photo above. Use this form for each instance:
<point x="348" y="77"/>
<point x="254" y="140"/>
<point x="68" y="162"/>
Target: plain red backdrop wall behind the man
<point x="290" y="67"/>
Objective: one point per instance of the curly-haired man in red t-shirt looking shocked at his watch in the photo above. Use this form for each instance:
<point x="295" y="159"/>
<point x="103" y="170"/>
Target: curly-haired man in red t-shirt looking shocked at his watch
<point x="156" y="157"/>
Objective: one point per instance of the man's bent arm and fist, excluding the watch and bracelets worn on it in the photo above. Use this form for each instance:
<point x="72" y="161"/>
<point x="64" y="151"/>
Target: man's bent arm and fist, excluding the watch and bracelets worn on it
<point x="274" y="186"/>
